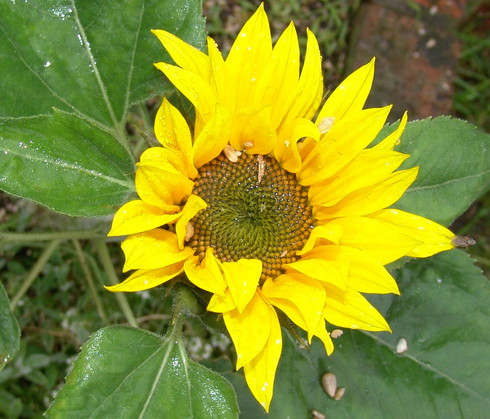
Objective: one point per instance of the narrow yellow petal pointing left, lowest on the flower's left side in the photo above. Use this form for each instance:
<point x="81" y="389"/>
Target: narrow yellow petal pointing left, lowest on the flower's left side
<point x="144" y="279"/>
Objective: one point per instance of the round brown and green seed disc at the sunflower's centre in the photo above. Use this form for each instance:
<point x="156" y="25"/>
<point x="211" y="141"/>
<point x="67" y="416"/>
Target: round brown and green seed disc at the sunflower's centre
<point x="256" y="210"/>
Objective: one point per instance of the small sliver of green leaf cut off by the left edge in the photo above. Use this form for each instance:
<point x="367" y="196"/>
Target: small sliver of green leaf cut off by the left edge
<point x="9" y="330"/>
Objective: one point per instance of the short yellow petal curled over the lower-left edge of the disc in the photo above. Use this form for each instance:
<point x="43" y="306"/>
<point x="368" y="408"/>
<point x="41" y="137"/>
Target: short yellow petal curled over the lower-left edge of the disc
<point x="206" y="275"/>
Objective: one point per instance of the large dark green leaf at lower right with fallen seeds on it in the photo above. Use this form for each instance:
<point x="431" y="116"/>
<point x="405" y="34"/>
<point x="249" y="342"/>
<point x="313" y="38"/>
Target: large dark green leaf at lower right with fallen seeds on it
<point x="444" y="315"/>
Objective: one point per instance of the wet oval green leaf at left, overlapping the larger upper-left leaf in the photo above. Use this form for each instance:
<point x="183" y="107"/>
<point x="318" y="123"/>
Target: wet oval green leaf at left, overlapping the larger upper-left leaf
<point x="64" y="163"/>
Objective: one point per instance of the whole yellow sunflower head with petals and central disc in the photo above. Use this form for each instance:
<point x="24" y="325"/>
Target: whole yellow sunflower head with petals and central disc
<point x="273" y="203"/>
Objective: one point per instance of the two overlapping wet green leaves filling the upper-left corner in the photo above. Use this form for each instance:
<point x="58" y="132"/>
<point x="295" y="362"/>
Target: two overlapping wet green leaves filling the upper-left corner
<point x="93" y="60"/>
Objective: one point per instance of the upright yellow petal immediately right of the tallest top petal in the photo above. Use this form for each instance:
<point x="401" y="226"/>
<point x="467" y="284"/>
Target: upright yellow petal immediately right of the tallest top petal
<point x="278" y="81"/>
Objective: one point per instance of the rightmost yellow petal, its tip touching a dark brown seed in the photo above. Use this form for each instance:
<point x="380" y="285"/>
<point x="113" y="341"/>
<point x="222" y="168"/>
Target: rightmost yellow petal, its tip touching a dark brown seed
<point x="433" y="238"/>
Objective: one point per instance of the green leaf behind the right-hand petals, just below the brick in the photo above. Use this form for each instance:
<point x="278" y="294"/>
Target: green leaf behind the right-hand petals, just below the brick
<point x="454" y="160"/>
